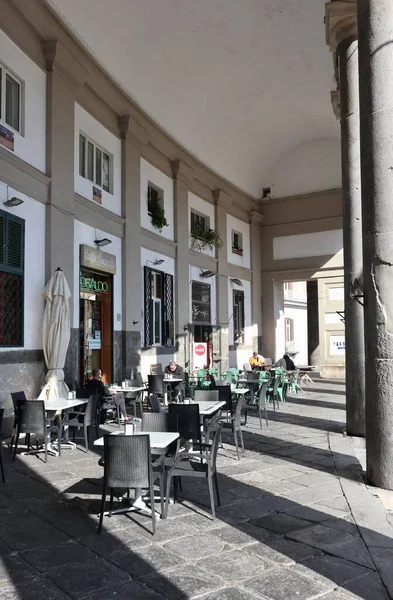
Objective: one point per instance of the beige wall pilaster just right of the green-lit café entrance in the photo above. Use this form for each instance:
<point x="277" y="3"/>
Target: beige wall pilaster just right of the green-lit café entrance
<point x="134" y="138"/>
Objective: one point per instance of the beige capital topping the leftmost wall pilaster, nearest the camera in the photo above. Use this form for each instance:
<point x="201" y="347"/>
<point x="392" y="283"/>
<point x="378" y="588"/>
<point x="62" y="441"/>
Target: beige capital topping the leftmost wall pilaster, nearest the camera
<point x="60" y="60"/>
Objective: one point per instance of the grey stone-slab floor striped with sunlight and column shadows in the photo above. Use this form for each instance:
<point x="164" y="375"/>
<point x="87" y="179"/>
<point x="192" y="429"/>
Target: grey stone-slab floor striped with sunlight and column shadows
<point x="296" y="522"/>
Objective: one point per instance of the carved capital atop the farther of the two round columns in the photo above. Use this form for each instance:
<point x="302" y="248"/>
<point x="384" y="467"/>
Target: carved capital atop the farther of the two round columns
<point x="340" y="22"/>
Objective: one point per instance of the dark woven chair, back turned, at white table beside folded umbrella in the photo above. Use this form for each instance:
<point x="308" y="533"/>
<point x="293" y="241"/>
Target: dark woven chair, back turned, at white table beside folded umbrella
<point x="32" y="420"/>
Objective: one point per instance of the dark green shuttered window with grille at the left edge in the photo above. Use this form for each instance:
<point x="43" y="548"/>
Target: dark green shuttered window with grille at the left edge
<point x="12" y="234"/>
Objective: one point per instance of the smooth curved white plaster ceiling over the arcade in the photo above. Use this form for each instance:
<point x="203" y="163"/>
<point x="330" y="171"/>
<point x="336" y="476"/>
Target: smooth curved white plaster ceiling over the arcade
<point x="239" y="83"/>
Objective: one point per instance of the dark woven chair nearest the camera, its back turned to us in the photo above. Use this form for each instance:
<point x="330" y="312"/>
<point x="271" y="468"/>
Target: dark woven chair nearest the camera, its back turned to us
<point x="127" y="464"/>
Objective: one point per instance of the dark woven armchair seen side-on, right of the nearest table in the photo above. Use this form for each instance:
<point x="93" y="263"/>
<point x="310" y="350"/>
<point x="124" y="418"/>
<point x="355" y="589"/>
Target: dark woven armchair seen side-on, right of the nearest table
<point x="190" y="465"/>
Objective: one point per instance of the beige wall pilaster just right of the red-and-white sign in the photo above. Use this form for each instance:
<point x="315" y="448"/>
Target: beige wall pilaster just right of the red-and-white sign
<point x="223" y="203"/>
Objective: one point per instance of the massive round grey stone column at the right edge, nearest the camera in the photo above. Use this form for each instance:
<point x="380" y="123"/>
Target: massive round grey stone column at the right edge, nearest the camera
<point x="375" y="18"/>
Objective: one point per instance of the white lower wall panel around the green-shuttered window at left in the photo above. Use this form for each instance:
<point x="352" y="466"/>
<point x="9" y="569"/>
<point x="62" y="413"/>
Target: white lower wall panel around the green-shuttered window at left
<point x="33" y="213"/>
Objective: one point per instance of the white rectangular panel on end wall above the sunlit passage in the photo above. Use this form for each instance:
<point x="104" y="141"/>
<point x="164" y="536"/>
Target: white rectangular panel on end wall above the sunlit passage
<point x="322" y="243"/>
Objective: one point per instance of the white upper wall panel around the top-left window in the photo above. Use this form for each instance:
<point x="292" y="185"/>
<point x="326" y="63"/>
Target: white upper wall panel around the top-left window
<point x="31" y="145"/>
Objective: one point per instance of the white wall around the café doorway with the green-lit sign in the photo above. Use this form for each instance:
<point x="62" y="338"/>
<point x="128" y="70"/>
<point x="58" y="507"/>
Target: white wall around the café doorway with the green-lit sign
<point x="84" y="234"/>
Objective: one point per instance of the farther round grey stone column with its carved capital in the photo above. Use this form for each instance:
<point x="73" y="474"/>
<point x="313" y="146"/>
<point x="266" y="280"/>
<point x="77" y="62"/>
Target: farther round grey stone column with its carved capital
<point x="341" y="25"/>
